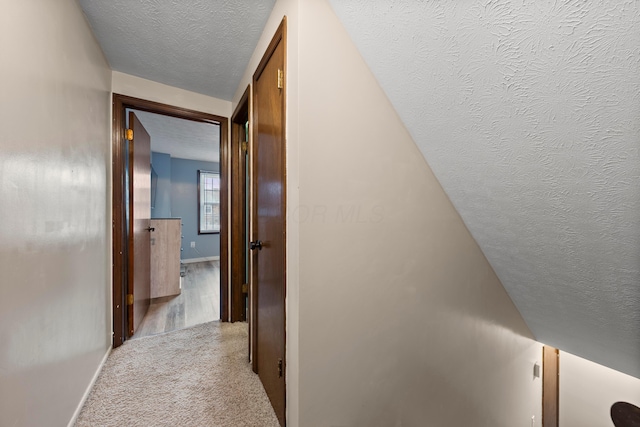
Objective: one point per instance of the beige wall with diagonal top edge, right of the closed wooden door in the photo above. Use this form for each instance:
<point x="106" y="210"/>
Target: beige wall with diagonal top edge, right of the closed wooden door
<point x="402" y="321"/>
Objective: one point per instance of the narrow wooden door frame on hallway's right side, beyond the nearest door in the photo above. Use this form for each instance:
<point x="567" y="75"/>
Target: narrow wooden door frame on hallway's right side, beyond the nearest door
<point x="238" y="233"/>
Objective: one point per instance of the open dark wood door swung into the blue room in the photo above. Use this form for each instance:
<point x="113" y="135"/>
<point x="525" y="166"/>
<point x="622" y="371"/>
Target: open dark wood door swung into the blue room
<point x="139" y="224"/>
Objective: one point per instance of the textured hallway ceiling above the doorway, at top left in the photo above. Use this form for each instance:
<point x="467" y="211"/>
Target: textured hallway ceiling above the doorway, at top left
<point x="197" y="45"/>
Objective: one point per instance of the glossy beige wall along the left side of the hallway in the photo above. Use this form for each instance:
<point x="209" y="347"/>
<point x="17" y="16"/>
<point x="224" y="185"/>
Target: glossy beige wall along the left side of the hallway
<point x="54" y="247"/>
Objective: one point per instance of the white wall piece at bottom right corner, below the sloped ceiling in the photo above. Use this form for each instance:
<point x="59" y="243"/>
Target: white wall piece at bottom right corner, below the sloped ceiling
<point x="587" y="391"/>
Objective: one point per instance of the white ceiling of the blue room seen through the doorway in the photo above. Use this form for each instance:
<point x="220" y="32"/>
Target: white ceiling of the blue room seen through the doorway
<point x="183" y="139"/>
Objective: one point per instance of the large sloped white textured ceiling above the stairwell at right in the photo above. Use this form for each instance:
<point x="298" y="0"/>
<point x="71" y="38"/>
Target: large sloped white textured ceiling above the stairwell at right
<point x="528" y="112"/>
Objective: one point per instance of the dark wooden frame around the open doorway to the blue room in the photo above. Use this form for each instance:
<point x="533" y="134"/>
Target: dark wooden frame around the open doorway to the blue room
<point x="119" y="206"/>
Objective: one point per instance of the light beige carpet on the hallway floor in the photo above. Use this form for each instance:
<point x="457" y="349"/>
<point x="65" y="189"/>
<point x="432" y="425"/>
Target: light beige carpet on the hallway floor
<point x="198" y="376"/>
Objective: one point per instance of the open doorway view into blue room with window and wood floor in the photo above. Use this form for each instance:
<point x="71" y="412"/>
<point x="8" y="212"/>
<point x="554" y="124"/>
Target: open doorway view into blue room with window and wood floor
<point x="184" y="223"/>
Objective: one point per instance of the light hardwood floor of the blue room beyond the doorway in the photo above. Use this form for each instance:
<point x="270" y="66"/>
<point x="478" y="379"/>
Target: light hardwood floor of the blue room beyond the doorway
<point x="199" y="302"/>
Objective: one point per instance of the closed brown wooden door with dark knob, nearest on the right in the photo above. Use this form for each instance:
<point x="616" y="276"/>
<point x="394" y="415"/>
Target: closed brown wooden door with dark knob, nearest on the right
<point x="268" y="222"/>
